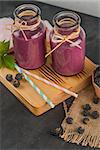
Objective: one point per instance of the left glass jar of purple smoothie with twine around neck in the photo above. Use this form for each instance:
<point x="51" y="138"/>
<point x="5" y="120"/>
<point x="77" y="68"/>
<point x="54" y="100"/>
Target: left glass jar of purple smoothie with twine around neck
<point x="29" y="37"/>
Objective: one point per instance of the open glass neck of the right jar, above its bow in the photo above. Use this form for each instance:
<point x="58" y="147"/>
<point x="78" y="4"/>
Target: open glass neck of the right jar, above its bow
<point x="66" y="22"/>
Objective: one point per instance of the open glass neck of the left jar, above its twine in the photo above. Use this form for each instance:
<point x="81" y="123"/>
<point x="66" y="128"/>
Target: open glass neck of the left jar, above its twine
<point x="27" y="14"/>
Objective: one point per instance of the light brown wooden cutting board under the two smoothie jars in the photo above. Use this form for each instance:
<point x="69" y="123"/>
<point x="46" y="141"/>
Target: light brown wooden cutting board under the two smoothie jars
<point x="26" y="94"/>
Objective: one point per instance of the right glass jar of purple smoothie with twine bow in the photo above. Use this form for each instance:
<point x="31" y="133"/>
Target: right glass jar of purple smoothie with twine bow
<point x="69" y="55"/>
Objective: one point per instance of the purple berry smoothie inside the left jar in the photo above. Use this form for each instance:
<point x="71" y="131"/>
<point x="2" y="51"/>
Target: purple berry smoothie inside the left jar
<point x="30" y="54"/>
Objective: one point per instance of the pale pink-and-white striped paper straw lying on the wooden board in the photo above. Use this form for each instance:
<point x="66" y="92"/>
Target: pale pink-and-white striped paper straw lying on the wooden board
<point x="52" y="84"/>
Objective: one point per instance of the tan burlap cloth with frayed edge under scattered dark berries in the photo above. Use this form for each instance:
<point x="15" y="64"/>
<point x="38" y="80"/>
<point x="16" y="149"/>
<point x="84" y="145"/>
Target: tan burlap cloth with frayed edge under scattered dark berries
<point x="91" y="136"/>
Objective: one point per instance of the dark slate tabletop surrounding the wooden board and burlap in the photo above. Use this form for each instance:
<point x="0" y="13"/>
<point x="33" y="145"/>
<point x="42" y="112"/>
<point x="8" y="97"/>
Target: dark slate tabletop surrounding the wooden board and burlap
<point x="19" y="129"/>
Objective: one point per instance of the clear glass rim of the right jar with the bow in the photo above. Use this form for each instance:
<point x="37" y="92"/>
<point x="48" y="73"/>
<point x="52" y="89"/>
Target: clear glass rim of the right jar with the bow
<point x="69" y="14"/>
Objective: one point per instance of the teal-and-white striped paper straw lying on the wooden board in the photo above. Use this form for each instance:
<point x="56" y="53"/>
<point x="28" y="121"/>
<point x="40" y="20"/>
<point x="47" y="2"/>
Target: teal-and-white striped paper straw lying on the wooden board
<point x="34" y="86"/>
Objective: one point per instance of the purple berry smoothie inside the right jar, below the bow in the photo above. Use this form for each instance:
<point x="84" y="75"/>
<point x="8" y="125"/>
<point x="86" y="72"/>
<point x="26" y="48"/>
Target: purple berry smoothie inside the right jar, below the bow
<point x="68" y="60"/>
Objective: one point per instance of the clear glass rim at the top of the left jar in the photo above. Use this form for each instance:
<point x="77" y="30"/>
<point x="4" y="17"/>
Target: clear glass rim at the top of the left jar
<point x="24" y="7"/>
